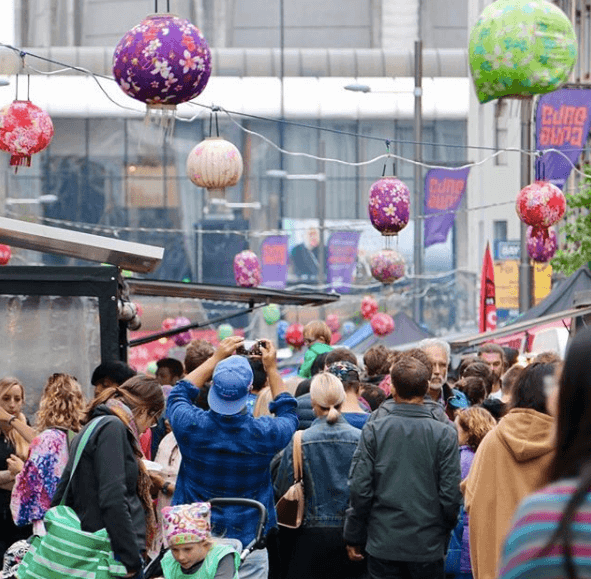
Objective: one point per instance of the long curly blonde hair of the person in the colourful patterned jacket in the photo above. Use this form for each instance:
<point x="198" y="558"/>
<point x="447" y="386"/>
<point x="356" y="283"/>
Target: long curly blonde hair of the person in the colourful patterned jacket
<point x="62" y="404"/>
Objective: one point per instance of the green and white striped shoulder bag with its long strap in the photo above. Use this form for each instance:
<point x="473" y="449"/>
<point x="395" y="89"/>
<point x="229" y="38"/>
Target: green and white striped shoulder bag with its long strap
<point x="66" y="549"/>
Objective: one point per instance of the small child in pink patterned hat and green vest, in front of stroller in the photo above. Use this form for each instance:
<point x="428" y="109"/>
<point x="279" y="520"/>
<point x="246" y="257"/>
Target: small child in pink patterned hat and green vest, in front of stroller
<point x="193" y="553"/>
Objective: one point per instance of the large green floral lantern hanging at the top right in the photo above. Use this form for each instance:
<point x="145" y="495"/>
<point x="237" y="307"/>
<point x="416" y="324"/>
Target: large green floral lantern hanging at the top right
<point x="520" y="48"/>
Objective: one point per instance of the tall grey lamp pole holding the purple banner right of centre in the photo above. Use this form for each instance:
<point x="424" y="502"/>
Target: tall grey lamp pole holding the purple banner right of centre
<point x="418" y="183"/>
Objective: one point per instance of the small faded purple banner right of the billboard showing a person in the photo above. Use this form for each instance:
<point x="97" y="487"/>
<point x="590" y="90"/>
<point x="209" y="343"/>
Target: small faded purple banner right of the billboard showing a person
<point x="341" y="258"/>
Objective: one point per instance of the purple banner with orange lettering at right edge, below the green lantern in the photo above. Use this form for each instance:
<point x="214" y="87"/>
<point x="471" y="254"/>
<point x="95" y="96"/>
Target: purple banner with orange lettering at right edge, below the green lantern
<point x="562" y="122"/>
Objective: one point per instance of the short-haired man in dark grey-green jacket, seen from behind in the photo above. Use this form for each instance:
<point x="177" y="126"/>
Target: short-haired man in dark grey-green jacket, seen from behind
<point x="404" y="484"/>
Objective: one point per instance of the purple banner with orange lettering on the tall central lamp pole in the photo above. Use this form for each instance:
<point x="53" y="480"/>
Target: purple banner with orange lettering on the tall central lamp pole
<point x="444" y="189"/>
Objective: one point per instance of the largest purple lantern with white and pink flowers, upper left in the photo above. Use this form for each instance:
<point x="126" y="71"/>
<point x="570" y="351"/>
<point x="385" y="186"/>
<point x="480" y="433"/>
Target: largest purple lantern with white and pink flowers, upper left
<point x="163" y="61"/>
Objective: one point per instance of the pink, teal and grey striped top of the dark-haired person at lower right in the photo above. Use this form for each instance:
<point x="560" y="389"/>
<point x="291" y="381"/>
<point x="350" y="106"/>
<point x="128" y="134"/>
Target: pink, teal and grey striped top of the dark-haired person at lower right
<point x="534" y="523"/>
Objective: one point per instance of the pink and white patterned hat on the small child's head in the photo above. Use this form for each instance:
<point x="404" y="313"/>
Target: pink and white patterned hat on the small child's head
<point x="186" y="523"/>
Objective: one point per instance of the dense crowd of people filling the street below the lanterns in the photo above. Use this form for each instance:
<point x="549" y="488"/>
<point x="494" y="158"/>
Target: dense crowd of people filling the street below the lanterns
<point x="401" y="455"/>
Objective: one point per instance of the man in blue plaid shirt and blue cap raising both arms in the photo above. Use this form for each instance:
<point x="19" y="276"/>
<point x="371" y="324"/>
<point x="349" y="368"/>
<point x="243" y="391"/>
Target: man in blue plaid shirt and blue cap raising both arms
<point x="226" y="452"/>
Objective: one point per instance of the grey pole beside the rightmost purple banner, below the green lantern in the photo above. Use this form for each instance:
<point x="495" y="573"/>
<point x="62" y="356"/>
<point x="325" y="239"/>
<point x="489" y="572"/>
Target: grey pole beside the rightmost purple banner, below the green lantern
<point x="525" y="272"/>
